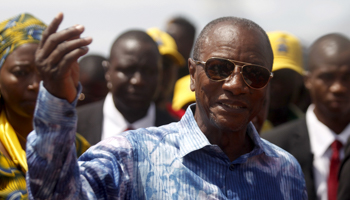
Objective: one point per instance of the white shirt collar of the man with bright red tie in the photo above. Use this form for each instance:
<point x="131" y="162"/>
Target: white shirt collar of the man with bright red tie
<point x="321" y="137"/>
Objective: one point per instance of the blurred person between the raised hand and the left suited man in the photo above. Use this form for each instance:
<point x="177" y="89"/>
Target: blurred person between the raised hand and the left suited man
<point x="92" y="78"/>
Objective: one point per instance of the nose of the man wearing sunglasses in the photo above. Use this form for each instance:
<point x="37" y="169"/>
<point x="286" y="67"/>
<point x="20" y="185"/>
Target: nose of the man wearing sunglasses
<point x="235" y="83"/>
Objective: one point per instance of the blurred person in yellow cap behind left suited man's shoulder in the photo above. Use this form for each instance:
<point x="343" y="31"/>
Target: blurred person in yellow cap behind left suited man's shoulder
<point x="172" y="61"/>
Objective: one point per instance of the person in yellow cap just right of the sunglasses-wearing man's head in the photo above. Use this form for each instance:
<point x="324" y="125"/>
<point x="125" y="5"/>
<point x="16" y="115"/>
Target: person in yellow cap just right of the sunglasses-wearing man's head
<point x="288" y="78"/>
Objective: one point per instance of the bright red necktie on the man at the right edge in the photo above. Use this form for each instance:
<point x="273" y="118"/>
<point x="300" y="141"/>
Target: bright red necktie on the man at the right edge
<point x="333" y="170"/>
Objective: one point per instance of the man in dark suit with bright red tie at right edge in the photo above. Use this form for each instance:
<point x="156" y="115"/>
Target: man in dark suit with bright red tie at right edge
<point x="316" y="141"/>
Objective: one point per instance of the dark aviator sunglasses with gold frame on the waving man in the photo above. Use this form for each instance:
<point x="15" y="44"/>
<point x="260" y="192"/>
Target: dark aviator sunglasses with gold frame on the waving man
<point x="219" y="69"/>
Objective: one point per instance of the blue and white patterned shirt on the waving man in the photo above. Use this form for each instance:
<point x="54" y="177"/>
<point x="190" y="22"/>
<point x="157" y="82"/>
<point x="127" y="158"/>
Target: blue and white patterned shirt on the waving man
<point x="175" y="161"/>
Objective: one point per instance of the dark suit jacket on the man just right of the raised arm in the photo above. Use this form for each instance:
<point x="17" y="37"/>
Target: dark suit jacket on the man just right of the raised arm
<point x="90" y="121"/>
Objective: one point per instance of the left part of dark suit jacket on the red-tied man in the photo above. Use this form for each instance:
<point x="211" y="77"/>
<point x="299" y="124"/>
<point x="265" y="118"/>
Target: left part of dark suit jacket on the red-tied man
<point x="294" y="138"/>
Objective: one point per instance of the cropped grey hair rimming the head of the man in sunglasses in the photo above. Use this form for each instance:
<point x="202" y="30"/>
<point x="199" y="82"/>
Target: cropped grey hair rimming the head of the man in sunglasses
<point x="229" y="21"/>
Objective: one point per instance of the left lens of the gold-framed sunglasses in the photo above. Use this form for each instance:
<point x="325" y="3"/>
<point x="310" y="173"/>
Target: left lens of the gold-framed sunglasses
<point x="219" y="69"/>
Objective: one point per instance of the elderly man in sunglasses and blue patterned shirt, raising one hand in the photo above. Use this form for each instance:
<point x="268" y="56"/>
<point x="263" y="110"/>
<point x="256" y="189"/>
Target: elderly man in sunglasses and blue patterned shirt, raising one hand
<point x="213" y="152"/>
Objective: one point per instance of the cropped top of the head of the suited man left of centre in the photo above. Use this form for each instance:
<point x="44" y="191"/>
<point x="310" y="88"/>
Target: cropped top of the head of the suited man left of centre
<point x="131" y="38"/>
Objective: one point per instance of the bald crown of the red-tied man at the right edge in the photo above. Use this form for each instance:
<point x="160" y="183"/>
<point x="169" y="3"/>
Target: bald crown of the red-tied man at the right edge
<point x="326" y="49"/>
